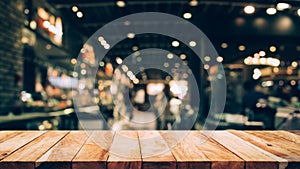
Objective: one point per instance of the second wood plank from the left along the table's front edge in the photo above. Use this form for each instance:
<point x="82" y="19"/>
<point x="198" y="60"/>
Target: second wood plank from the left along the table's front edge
<point x="61" y="155"/>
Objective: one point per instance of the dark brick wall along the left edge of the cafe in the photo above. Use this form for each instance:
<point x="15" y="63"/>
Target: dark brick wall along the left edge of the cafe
<point x="11" y="49"/>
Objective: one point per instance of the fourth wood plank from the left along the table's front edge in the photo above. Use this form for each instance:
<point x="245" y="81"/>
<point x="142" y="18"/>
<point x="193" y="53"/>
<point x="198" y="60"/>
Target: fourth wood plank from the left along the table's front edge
<point x="125" y="151"/>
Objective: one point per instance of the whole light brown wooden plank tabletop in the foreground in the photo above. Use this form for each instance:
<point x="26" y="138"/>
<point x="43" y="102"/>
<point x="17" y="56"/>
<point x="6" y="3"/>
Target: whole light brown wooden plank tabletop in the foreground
<point x="150" y="149"/>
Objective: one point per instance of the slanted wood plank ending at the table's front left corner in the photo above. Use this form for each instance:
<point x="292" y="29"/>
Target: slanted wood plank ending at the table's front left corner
<point x="26" y="156"/>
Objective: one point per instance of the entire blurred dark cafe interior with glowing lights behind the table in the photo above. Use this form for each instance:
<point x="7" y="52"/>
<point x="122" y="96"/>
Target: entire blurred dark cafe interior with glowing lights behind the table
<point x="47" y="80"/>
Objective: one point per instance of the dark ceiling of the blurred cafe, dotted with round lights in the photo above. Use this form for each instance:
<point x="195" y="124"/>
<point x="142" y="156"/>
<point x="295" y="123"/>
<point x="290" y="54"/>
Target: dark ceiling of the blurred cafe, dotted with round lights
<point x="221" y="20"/>
